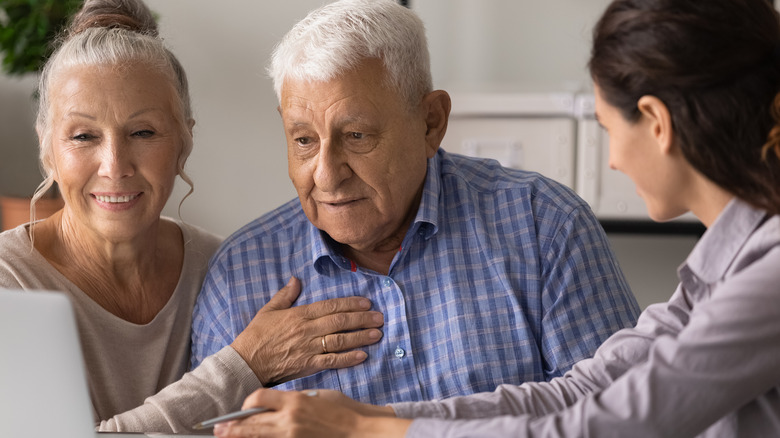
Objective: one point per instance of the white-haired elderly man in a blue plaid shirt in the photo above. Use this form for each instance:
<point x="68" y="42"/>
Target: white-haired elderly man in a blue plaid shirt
<point x="485" y="275"/>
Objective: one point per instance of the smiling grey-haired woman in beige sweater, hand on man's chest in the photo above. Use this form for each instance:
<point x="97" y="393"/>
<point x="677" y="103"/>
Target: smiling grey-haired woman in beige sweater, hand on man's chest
<point x="115" y="129"/>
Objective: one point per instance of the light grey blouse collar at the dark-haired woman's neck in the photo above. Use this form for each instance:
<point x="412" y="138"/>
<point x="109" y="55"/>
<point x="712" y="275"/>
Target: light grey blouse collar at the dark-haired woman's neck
<point x="720" y="244"/>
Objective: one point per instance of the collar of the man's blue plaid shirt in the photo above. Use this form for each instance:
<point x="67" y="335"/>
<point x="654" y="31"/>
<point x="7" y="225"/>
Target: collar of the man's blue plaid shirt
<point x="324" y="248"/>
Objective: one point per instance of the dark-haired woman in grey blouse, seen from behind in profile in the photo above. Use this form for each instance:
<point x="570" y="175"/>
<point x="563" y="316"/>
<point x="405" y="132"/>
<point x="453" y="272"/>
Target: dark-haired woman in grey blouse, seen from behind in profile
<point x="688" y="92"/>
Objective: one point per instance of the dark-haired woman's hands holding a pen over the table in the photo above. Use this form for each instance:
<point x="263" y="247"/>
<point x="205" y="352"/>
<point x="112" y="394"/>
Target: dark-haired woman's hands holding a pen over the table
<point x="326" y="414"/>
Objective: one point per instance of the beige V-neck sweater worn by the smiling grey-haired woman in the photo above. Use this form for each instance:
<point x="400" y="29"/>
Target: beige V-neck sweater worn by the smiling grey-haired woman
<point x="135" y="371"/>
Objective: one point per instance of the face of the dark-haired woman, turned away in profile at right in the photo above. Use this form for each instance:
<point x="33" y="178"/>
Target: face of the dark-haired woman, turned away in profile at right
<point x="634" y="149"/>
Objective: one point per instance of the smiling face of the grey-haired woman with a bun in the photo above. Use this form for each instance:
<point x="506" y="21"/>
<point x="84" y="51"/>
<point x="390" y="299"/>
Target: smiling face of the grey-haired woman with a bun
<point x="115" y="144"/>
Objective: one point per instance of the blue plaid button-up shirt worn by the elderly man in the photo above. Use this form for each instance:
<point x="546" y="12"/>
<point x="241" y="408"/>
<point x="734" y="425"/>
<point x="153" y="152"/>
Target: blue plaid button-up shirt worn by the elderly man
<point x="504" y="277"/>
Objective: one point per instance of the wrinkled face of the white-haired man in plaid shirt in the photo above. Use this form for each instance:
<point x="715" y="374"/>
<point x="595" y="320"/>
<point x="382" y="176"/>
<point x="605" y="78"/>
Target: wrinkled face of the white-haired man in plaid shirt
<point x="357" y="156"/>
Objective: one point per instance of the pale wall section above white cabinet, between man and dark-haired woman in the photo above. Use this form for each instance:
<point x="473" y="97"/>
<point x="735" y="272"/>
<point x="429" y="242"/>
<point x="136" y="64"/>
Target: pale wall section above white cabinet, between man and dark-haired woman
<point x="510" y="45"/>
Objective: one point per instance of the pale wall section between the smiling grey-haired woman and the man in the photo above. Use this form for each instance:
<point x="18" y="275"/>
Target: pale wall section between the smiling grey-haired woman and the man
<point x="239" y="163"/>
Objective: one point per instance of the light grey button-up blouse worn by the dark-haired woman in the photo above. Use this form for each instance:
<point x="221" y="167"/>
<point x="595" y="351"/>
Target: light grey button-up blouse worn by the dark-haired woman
<point x="706" y="363"/>
